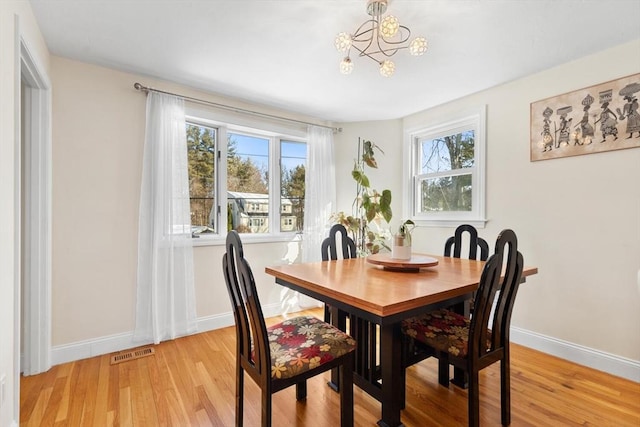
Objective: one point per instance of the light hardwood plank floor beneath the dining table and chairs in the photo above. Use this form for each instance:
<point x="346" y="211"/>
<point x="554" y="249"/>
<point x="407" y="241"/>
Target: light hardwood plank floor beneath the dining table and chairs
<point x="190" y="382"/>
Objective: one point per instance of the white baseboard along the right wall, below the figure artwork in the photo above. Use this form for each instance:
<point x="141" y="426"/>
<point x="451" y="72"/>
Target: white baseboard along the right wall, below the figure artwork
<point x="596" y="359"/>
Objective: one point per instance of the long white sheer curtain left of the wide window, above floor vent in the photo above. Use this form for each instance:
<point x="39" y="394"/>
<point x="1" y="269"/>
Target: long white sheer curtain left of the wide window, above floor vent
<point x="165" y="306"/>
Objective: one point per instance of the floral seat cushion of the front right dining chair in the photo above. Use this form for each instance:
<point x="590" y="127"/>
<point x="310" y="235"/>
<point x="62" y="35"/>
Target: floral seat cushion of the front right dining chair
<point x="443" y="330"/>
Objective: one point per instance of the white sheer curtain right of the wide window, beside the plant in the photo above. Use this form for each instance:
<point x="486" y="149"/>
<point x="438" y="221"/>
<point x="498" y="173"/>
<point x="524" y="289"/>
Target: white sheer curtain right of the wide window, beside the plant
<point x="320" y="191"/>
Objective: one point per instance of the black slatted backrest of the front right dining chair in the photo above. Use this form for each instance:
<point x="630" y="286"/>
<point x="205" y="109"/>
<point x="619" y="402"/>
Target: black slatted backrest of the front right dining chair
<point x="506" y="255"/>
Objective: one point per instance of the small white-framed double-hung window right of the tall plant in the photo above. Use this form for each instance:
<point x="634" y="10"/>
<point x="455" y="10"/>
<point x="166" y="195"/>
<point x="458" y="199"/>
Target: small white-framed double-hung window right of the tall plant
<point x="447" y="182"/>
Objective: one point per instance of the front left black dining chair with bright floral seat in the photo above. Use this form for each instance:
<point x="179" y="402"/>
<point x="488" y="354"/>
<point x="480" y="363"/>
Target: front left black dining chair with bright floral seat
<point x="284" y="354"/>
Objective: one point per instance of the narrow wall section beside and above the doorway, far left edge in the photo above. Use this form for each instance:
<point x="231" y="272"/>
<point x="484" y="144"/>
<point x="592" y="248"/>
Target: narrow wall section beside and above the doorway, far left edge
<point x="16" y="21"/>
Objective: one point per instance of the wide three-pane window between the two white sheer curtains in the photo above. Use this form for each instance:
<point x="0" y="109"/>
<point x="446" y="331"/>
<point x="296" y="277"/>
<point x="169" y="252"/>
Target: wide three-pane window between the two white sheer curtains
<point x="238" y="193"/>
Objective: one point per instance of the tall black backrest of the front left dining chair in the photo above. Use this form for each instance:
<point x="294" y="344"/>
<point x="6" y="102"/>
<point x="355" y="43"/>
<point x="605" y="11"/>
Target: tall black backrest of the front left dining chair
<point x="251" y="330"/>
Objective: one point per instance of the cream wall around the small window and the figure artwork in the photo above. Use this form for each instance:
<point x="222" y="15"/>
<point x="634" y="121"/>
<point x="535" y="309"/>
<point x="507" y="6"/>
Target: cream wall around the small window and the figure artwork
<point x="577" y="218"/>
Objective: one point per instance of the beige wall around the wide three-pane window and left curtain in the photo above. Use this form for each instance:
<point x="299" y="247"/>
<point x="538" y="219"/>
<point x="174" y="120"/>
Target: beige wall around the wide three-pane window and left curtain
<point x="98" y="136"/>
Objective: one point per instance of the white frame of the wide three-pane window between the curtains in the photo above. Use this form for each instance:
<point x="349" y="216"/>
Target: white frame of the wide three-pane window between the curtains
<point x="275" y="134"/>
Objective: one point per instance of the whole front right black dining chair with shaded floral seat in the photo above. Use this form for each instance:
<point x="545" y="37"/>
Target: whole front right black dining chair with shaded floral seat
<point x="473" y="343"/>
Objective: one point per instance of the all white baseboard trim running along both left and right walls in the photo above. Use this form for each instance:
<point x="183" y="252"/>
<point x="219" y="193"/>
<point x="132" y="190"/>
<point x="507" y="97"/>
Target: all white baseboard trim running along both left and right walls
<point x="612" y="364"/>
